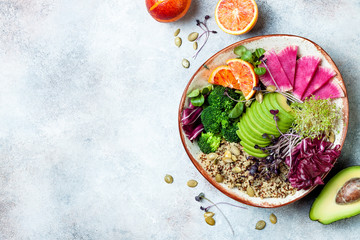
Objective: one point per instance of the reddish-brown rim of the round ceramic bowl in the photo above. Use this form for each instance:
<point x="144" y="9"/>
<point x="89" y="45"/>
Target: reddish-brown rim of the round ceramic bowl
<point x="203" y="172"/>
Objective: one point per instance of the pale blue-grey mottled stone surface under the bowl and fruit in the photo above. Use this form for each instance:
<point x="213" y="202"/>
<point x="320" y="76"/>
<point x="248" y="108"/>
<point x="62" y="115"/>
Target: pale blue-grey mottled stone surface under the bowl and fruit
<point x="89" y="92"/>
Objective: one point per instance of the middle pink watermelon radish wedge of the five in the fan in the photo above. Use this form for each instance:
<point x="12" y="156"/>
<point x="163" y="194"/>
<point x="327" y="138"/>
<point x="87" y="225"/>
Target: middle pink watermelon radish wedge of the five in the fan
<point x="305" y="69"/>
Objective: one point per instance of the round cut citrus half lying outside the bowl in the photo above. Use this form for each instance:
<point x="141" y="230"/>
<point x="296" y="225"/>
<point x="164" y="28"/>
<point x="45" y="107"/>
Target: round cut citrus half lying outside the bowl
<point x="236" y="16"/>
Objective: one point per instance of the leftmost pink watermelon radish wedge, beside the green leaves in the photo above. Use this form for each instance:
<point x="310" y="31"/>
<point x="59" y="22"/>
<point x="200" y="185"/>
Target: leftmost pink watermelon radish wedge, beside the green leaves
<point x="274" y="72"/>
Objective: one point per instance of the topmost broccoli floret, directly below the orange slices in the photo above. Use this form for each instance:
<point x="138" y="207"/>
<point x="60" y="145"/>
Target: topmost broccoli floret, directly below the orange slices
<point x="217" y="98"/>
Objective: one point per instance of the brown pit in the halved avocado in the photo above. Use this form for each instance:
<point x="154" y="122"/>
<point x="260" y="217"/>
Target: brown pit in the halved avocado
<point x="349" y="192"/>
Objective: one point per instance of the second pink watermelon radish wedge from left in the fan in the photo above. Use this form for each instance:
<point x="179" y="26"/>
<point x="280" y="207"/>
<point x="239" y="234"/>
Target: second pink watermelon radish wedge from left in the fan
<point x="287" y="58"/>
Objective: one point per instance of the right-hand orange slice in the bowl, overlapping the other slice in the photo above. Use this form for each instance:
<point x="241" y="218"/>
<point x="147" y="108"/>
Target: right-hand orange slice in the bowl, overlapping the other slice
<point x="245" y="75"/>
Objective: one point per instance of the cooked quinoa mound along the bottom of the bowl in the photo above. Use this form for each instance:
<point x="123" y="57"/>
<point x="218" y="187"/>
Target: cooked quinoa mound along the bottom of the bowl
<point x="231" y="162"/>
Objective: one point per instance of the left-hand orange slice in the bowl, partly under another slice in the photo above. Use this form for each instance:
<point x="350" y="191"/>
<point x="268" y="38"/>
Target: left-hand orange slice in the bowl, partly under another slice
<point x="223" y="76"/>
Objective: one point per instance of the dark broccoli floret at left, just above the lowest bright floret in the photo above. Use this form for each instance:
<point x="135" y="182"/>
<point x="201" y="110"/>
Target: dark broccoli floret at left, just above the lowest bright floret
<point x="211" y="119"/>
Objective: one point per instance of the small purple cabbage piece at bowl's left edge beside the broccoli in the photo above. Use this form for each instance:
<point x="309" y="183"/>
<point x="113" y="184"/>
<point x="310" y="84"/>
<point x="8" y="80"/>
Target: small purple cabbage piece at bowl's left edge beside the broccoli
<point x="191" y="122"/>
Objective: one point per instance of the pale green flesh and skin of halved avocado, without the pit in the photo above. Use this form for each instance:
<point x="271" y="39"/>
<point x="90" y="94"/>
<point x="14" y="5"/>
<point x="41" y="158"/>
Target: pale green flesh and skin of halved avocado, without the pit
<point x="325" y="209"/>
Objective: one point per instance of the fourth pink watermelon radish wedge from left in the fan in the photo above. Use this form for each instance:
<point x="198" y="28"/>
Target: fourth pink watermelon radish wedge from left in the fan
<point x="322" y="76"/>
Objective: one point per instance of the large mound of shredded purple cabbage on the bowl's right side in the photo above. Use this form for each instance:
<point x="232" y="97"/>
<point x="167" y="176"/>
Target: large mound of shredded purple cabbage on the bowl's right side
<point x="309" y="160"/>
